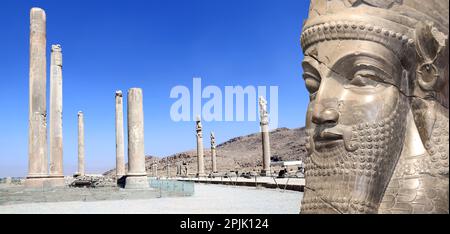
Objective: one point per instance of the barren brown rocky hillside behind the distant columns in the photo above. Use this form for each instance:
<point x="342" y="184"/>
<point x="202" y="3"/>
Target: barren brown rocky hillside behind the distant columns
<point x="242" y="153"/>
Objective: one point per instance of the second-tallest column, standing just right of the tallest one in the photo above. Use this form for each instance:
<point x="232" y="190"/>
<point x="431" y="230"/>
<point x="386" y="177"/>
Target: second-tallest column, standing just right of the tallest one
<point x="56" y="135"/>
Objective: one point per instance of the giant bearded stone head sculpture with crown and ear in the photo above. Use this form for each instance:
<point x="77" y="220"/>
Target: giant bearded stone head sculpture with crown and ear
<point x="377" y="122"/>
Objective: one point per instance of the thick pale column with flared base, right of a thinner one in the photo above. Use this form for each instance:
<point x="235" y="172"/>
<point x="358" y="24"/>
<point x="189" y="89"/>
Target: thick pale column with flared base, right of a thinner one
<point x="136" y="176"/>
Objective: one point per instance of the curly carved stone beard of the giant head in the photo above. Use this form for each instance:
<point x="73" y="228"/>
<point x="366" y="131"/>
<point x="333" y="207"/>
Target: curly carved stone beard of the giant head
<point x="340" y="181"/>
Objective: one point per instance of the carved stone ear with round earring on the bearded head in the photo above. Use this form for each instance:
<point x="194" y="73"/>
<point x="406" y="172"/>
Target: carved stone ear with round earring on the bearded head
<point x="430" y="42"/>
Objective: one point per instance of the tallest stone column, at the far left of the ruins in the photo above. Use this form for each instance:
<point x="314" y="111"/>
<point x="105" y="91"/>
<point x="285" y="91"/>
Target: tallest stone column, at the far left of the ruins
<point x="37" y="132"/>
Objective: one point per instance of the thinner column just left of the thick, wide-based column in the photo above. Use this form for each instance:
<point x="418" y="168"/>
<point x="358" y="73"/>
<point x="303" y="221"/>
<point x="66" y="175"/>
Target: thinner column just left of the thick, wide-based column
<point x="120" y="150"/>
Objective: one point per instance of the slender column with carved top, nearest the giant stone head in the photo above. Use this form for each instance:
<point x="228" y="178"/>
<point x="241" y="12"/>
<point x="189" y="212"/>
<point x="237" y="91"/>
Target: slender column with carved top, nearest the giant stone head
<point x="265" y="136"/>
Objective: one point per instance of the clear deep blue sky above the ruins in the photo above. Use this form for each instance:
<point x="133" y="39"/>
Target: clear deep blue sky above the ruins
<point x="154" y="45"/>
